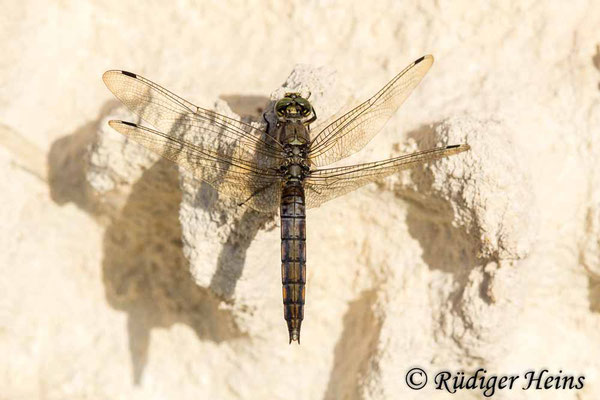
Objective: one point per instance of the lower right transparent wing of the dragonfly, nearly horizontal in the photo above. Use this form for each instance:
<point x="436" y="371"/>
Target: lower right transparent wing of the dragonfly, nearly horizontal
<point x="325" y="184"/>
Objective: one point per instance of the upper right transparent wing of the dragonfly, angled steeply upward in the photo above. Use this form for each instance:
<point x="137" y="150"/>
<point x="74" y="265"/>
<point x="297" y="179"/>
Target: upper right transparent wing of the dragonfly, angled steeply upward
<point x="353" y="130"/>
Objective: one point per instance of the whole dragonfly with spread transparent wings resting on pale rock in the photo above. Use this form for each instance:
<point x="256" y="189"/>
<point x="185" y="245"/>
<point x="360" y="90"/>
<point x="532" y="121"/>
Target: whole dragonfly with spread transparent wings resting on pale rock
<point x="281" y="167"/>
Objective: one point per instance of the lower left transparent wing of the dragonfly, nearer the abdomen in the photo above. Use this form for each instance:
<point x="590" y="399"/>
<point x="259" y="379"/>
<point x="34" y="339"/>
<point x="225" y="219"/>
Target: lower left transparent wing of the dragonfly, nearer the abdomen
<point x="246" y="183"/>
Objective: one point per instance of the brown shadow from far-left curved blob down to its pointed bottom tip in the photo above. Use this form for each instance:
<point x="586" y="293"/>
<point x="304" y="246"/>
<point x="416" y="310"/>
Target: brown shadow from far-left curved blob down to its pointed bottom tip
<point x="144" y="270"/>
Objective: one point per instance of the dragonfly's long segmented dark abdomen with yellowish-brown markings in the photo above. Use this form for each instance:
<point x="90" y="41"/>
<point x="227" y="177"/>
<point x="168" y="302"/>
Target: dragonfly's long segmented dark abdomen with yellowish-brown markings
<point x="293" y="255"/>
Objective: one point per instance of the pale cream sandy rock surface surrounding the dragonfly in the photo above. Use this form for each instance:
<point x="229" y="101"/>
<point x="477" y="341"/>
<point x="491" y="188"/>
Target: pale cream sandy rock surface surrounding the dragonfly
<point x="121" y="278"/>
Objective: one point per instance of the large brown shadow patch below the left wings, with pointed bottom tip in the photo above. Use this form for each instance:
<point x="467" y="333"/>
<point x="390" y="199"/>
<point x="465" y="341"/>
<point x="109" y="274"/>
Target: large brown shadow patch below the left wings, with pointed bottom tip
<point x="146" y="273"/>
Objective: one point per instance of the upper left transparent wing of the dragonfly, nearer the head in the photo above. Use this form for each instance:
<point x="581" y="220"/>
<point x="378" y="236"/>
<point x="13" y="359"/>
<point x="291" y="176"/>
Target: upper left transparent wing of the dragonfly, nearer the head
<point x="173" y="115"/>
